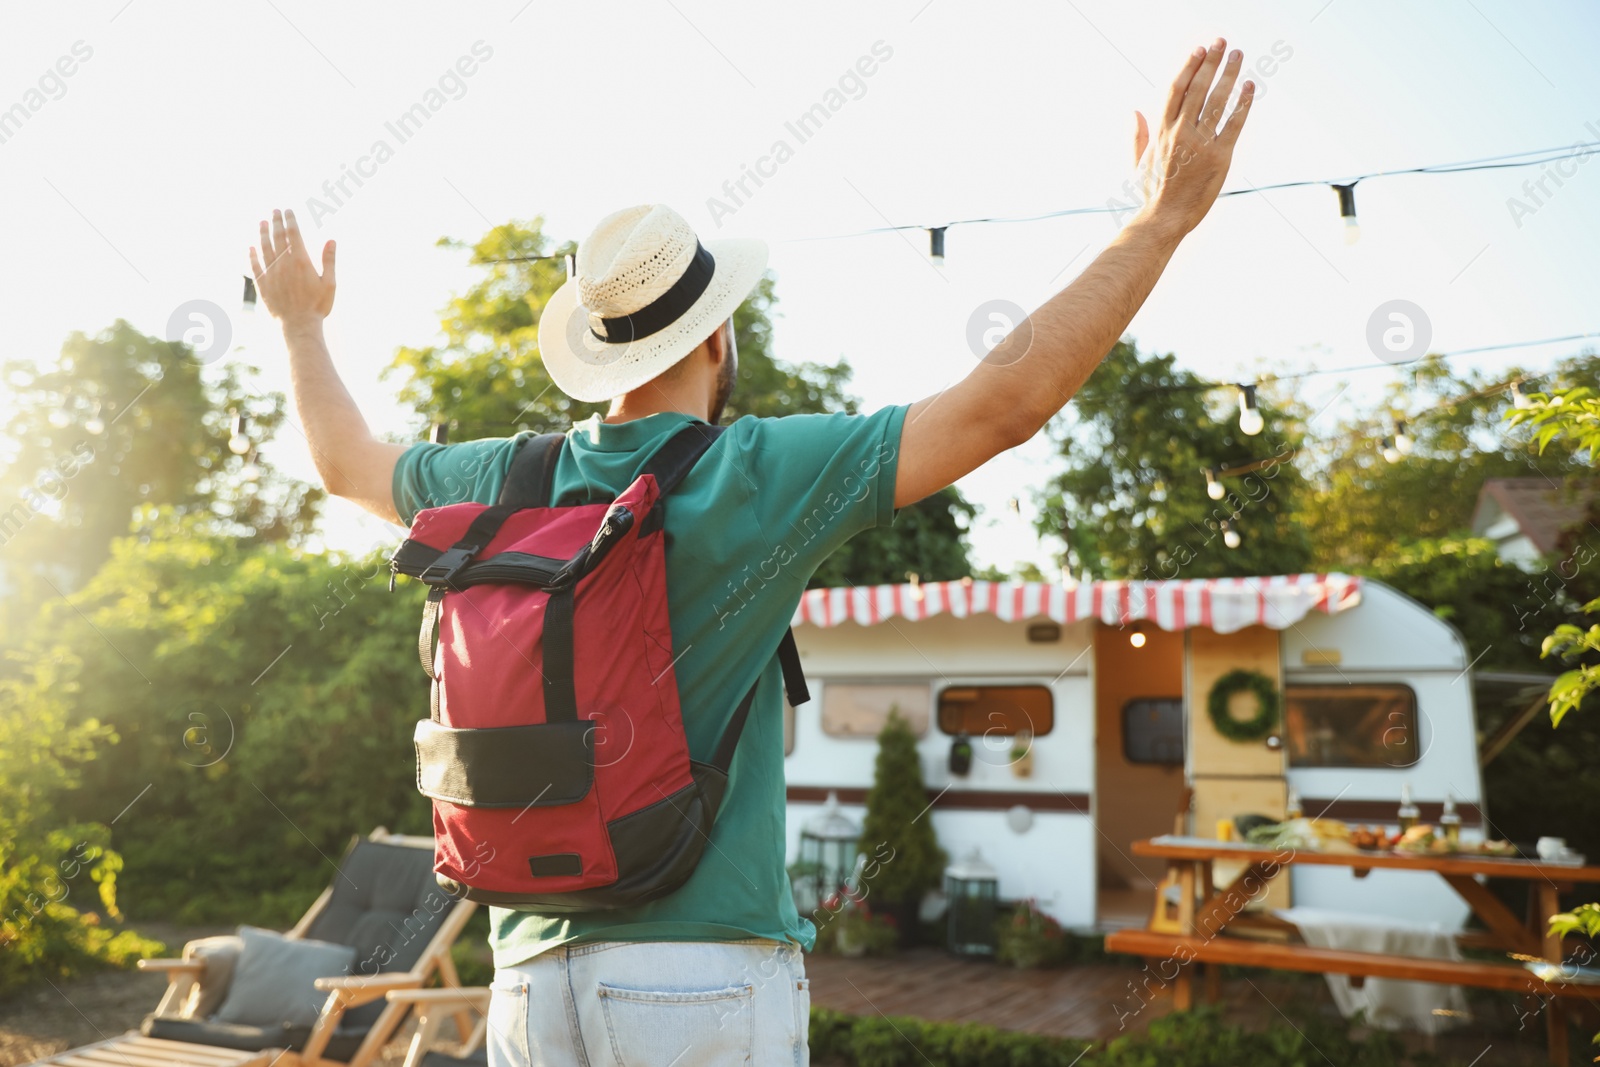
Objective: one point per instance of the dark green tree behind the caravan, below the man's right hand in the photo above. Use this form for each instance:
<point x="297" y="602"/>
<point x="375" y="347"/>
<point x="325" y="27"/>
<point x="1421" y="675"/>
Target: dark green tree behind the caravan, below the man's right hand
<point x="1132" y="500"/>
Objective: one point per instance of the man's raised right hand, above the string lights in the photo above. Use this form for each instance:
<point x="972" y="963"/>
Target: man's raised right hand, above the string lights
<point x="1185" y="166"/>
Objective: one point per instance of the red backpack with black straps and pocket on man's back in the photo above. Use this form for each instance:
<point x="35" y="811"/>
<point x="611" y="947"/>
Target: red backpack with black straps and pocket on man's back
<point x="556" y="754"/>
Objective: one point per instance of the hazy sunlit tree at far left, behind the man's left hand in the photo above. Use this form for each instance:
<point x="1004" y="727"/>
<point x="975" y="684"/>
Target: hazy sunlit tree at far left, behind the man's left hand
<point x="119" y="423"/>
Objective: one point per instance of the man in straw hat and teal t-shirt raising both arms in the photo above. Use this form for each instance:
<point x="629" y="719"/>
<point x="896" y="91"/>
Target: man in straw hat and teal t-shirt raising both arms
<point x="713" y="973"/>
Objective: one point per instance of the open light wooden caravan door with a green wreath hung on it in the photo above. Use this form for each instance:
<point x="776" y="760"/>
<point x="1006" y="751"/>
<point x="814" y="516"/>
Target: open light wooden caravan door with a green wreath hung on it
<point x="1233" y="778"/>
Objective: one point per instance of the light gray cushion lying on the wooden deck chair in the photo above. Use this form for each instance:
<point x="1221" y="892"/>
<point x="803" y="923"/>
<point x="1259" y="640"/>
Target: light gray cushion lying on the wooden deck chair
<point x="274" y="981"/>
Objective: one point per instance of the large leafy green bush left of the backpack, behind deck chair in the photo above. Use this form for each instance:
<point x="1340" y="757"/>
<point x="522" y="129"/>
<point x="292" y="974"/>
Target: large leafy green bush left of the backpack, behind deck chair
<point x="258" y="706"/>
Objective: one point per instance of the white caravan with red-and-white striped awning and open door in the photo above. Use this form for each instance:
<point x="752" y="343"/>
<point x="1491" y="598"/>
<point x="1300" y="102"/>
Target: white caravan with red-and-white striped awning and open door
<point x="1113" y="681"/>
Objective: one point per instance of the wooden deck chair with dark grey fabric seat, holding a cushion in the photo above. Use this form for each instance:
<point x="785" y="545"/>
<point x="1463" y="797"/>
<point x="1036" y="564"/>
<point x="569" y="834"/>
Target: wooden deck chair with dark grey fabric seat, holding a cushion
<point x="383" y="901"/>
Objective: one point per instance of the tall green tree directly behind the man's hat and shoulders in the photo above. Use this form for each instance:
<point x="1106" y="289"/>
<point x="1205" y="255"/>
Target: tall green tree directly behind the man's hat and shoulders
<point x="486" y="380"/>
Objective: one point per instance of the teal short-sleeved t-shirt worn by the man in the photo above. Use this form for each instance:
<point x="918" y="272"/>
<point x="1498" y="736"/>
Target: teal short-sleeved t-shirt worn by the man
<point x="746" y="530"/>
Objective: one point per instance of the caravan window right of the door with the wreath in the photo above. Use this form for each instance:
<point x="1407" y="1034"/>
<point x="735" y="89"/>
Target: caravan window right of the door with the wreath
<point x="1351" y="725"/>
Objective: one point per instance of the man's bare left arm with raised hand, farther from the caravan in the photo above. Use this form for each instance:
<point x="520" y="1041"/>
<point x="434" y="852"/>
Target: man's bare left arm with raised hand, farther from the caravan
<point x="353" y="463"/>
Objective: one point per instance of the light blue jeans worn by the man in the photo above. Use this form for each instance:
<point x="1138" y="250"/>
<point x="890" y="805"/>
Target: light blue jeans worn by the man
<point x="654" y="1004"/>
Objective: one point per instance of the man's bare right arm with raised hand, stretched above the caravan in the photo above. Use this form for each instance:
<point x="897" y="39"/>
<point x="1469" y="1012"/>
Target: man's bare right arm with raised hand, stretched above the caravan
<point x="1031" y="375"/>
